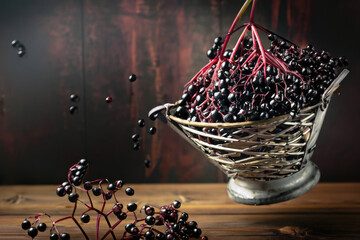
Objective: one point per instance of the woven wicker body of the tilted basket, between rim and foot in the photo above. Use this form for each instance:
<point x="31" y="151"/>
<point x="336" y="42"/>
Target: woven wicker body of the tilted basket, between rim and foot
<point x="260" y="150"/>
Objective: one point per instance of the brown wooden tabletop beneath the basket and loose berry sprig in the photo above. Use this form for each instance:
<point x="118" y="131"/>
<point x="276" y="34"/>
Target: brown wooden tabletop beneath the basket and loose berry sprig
<point x="329" y="211"/>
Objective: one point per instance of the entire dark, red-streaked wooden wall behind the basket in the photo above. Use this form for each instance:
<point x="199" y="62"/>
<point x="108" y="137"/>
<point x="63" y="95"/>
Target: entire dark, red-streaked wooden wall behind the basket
<point x="90" y="47"/>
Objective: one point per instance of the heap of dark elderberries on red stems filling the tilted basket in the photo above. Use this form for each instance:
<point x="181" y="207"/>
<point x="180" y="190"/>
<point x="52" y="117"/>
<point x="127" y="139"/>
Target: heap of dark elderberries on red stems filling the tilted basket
<point x="250" y="83"/>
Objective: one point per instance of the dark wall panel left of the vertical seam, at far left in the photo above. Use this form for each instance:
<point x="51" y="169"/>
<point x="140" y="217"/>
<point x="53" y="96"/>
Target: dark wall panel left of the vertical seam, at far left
<point x="38" y="136"/>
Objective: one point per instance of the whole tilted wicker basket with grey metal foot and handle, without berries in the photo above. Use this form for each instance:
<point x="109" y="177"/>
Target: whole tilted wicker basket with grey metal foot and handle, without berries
<point x="267" y="161"/>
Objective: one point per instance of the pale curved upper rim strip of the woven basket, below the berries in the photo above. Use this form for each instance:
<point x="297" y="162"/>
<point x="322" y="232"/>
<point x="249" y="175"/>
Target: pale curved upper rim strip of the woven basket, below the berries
<point x="236" y="124"/>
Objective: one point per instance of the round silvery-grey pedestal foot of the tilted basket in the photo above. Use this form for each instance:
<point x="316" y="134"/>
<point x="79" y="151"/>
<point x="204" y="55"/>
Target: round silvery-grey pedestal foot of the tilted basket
<point x="251" y="192"/>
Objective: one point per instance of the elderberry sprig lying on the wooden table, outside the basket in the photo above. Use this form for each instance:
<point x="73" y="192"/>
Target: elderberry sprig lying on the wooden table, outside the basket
<point x="174" y="222"/>
